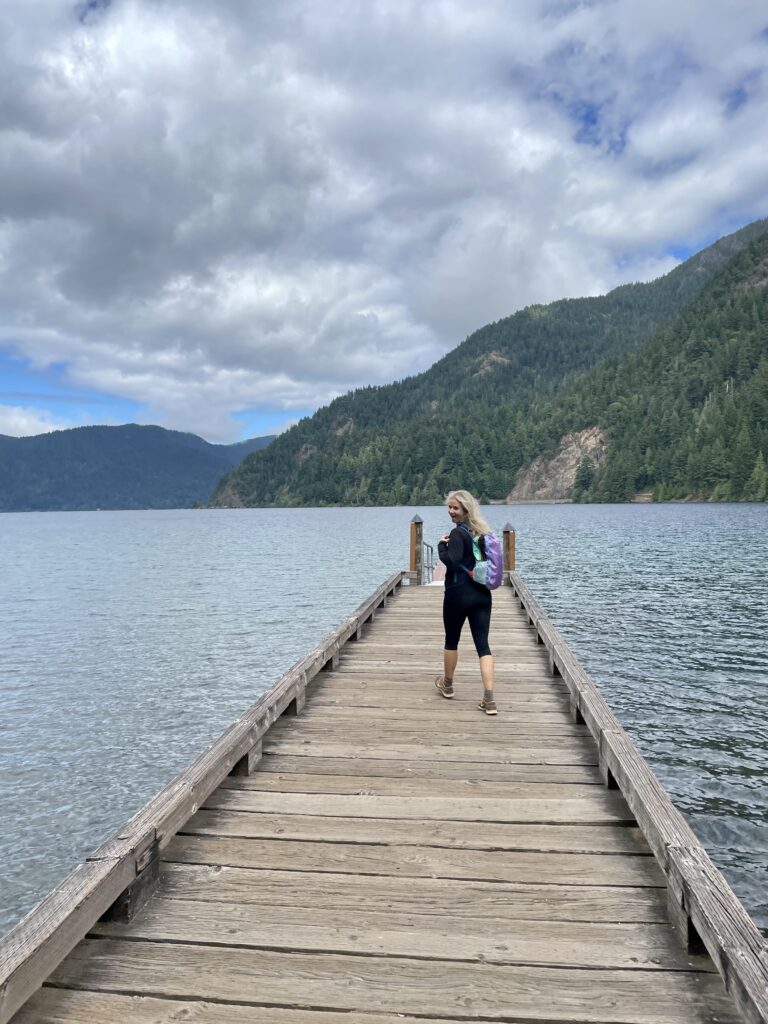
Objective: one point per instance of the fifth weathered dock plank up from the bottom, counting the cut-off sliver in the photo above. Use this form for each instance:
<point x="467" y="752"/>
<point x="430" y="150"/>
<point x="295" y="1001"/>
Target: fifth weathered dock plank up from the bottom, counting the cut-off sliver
<point x="416" y="862"/>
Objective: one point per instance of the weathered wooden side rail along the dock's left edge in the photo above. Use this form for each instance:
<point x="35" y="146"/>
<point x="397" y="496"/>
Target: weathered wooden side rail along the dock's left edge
<point x="118" y="878"/>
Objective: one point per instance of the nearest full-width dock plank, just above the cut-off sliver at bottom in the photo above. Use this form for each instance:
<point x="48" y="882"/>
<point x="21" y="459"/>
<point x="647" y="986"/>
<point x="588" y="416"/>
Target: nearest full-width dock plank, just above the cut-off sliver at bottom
<point x="423" y="988"/>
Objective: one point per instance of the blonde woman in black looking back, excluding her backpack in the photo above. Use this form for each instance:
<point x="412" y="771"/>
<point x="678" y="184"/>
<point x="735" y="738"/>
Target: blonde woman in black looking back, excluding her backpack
<point x="464" y="599"/>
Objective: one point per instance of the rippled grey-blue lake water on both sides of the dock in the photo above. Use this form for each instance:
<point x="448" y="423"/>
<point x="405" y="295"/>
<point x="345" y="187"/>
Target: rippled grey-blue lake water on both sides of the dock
<point x="131" y="639"/>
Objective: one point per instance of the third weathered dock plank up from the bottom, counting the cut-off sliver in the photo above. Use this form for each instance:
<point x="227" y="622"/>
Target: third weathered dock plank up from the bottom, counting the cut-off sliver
<point x="648" y="948"/>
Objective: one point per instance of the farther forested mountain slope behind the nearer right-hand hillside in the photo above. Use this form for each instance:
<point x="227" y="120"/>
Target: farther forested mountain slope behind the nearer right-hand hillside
<point x="481" y="414"/>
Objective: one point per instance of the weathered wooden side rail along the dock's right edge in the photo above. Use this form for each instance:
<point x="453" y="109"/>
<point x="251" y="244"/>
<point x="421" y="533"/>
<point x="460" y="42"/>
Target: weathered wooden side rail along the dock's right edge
<point x="704" y="909"/>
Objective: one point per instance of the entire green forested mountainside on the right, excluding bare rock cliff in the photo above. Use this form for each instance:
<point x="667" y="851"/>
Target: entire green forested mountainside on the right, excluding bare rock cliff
<point x="673" y="371"/>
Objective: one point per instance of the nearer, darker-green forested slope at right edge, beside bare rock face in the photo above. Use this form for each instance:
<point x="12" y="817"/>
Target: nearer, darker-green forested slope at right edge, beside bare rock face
<point x="687" y="414"/>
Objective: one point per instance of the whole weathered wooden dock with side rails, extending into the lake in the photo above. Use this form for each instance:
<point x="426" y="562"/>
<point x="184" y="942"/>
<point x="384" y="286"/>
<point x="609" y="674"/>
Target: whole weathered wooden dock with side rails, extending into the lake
<point x="389" y="857"/>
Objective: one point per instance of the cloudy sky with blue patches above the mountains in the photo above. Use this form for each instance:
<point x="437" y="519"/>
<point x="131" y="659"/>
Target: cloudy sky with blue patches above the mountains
<point x="218" y="217"/>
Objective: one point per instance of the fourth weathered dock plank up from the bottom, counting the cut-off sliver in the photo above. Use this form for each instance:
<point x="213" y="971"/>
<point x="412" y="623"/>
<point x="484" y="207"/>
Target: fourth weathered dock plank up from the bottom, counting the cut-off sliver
<point x="418" y="895"/>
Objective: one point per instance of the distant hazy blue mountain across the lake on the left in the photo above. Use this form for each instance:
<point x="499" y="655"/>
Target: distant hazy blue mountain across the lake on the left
<point x="127" y="467"/>
